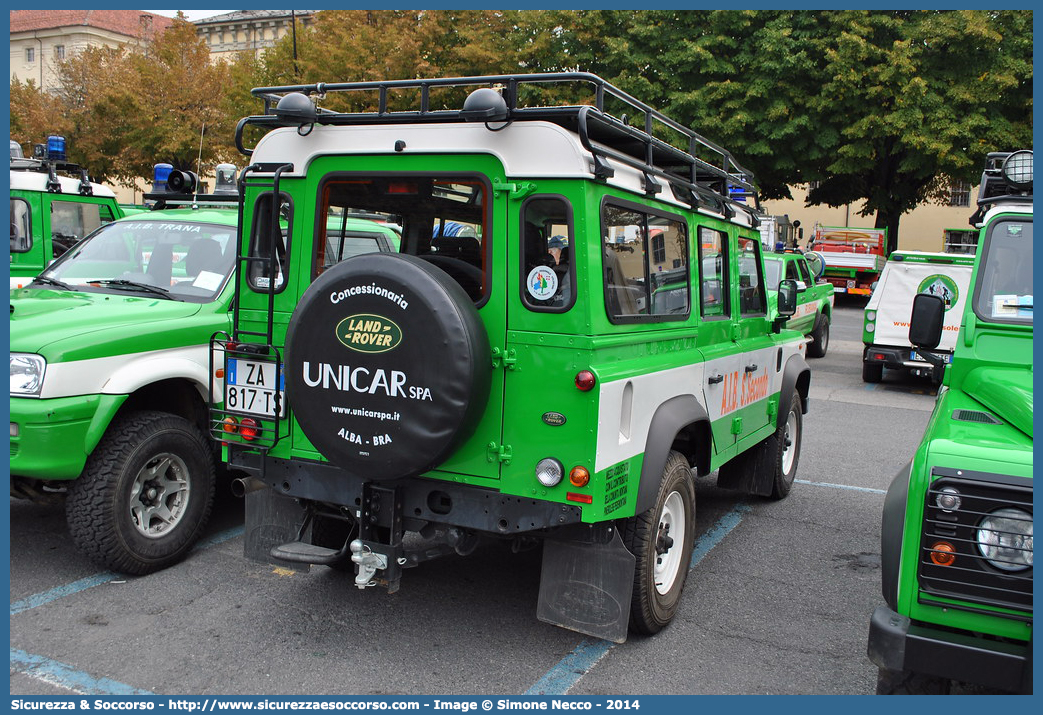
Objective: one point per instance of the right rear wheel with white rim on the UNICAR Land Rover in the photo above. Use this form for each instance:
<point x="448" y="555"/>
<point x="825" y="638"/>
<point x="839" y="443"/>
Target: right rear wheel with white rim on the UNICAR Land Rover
<point x="653" y="608"/>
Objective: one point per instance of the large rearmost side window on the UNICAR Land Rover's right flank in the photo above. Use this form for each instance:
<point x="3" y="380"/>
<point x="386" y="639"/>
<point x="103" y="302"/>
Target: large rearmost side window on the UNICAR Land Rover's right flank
<point x="646" y="260"/>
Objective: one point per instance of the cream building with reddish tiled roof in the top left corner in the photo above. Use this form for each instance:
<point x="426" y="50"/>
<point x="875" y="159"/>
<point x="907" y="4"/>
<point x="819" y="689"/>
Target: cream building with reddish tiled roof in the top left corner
<point x="41" y="39"/>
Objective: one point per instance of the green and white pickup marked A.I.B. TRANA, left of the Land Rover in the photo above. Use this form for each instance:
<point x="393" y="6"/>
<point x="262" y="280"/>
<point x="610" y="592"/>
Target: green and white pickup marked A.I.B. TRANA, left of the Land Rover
<point x="110" y="375"/>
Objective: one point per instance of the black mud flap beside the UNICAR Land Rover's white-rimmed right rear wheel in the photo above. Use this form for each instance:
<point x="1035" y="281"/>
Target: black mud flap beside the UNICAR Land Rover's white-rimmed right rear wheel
<point x="587" y="587"/>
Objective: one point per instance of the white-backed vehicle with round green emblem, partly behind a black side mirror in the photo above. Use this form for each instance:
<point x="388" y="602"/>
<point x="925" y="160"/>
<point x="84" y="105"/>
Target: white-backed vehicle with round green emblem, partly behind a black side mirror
<point x="887" y="320"/>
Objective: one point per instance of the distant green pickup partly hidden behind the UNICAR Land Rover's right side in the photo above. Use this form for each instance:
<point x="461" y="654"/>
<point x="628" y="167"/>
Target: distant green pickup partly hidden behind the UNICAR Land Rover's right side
<point x="815" y="298"/>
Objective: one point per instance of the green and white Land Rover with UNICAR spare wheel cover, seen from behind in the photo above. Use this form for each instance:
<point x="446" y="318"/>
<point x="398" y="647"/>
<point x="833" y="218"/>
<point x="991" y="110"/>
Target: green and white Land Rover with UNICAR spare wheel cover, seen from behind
<point x="573" y="324"/>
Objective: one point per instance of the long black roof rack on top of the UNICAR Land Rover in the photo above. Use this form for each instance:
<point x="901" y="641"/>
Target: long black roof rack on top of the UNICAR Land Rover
<point x="701" y="172"/>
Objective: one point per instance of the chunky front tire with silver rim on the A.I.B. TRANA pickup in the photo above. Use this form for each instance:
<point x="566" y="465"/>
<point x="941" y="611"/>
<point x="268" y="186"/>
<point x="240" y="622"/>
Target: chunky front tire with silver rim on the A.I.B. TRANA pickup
<point x="158" y="465"/>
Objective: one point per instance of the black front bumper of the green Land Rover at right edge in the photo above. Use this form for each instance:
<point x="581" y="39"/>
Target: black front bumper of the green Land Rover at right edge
<point x="898" y="644"/>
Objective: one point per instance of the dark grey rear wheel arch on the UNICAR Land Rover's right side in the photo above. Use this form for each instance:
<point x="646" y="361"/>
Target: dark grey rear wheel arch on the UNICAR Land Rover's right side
<point x="683" y="425"/>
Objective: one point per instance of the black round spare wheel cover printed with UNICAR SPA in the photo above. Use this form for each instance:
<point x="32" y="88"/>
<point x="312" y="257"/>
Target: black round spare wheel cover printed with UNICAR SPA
<point x="387" y="365"/>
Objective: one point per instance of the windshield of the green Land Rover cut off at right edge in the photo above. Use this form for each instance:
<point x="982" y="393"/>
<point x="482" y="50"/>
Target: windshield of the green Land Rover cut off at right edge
<point x="1004" y="292"/>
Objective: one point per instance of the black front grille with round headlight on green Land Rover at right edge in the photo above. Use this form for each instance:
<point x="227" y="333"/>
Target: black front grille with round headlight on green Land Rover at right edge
<point x="977" y="541"/>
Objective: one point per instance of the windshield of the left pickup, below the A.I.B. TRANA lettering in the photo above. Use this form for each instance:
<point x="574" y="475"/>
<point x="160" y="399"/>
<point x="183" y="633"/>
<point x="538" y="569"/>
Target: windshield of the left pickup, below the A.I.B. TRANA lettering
<point x="172" y="259"/>
